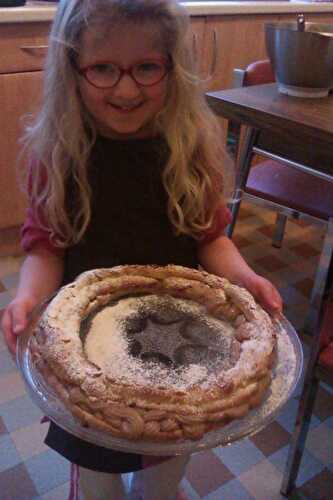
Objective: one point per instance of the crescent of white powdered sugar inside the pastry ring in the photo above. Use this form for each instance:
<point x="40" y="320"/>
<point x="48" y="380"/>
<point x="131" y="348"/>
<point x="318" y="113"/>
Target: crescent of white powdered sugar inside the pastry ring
<point x="107" y="345"/>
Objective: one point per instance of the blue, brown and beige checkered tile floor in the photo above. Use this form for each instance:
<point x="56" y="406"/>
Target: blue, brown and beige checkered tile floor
<point x="249" y="469"/>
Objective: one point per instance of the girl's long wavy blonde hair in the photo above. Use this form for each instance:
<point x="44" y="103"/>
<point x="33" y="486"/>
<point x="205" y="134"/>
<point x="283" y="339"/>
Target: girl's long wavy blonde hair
<point x="63" y="133"/>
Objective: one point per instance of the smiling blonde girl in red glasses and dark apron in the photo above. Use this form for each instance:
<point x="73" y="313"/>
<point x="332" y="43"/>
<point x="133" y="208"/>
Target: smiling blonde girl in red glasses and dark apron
<point x="127" y="168"/>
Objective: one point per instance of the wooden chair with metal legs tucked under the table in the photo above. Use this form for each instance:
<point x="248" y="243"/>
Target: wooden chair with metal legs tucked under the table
<point x="282" y="185"/>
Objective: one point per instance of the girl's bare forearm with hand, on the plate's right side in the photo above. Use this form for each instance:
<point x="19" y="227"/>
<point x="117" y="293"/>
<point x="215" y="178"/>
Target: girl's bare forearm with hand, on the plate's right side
<point x="222" y="258"/>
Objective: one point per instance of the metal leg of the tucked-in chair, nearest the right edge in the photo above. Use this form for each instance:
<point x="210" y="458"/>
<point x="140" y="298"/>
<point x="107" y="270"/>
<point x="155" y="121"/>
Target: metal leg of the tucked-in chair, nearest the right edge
<point x="320" y="282"/>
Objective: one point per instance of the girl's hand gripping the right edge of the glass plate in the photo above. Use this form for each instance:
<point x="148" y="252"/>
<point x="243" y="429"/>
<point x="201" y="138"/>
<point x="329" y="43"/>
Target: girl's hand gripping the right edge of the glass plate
<point x="265" y="293"/>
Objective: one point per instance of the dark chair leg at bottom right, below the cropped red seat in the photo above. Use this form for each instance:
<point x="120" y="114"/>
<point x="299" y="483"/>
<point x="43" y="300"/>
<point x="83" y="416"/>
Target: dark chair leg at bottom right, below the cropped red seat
<point x="298" y="438"/>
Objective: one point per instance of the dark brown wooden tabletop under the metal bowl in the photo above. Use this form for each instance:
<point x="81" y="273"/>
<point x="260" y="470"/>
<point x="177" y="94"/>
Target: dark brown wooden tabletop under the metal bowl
<point x="302" y="127"/>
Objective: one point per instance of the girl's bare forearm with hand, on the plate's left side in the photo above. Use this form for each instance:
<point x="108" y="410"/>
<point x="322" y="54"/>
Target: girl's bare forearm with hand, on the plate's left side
<point x="40" y="276"/>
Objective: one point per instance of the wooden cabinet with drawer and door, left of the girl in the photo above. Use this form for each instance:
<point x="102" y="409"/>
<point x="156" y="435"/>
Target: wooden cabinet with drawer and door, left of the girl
<point x="22" y="53"/>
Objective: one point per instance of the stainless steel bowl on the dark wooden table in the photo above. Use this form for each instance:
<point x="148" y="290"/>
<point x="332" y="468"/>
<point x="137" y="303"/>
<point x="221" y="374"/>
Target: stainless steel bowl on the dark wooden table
<point x="302" y="59"/>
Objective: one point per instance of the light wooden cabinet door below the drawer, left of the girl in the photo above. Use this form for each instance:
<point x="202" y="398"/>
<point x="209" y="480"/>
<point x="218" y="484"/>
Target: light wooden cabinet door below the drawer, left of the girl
<point x="19" y="96"/>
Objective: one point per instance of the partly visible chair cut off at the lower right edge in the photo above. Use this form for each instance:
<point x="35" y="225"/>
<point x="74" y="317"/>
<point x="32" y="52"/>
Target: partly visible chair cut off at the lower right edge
<point x="319" y="368"/>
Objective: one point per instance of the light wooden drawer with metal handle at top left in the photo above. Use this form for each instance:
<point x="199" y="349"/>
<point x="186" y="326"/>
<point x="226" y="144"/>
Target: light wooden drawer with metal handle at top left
<point x="23" y="46"/>
